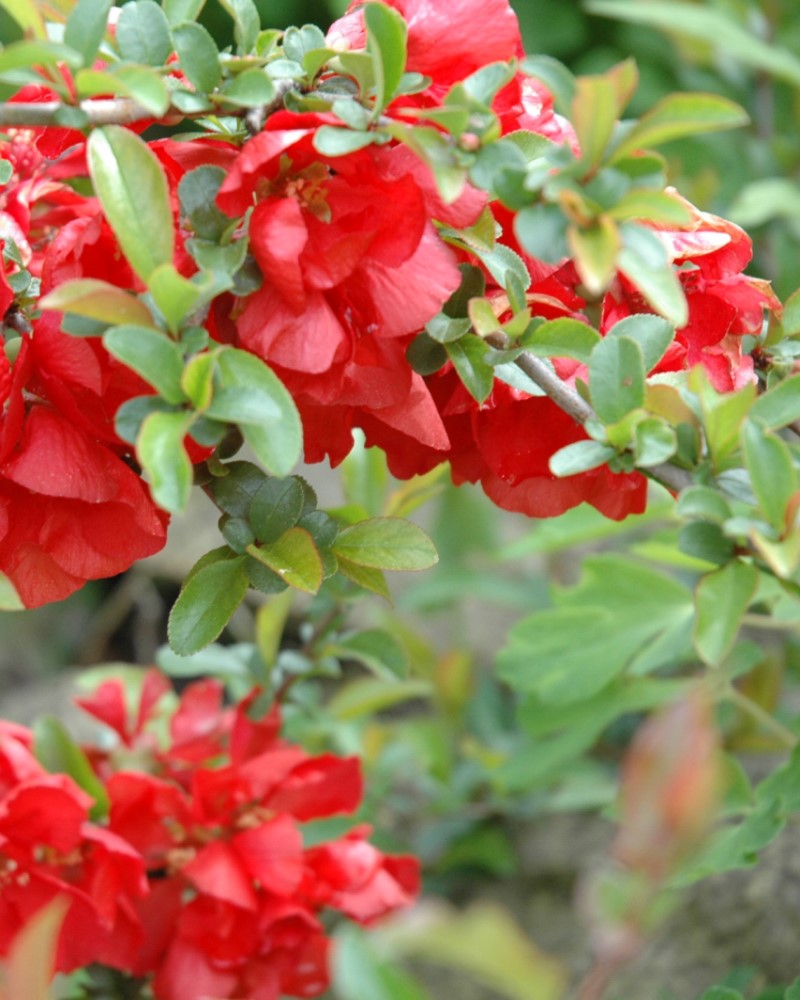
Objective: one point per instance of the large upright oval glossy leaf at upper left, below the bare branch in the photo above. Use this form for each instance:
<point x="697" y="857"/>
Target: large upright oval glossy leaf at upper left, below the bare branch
<point x="133" y="191"/>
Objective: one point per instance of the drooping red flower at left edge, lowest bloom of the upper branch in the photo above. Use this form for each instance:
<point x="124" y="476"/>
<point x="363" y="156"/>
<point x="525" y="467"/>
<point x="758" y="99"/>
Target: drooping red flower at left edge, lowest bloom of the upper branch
<point x="70" y="509"/>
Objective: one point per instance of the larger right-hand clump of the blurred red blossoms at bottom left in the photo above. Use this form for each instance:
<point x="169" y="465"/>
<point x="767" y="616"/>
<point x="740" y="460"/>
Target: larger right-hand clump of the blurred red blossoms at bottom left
<point x="234" y="901"/>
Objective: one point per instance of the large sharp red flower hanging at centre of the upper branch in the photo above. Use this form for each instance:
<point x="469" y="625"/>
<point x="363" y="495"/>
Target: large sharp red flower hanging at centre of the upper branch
<point x="352" y="271"/>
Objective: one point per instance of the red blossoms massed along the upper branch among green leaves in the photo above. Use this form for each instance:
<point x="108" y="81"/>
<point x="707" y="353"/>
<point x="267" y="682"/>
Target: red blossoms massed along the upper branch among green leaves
<point x="354" y="255"/>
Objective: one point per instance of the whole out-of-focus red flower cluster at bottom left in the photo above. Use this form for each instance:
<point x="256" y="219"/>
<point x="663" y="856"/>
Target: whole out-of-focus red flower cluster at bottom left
<point x="198" y="877"/>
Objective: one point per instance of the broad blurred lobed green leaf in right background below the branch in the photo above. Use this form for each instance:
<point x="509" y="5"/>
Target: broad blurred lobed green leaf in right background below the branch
<point x="621" y="615"/>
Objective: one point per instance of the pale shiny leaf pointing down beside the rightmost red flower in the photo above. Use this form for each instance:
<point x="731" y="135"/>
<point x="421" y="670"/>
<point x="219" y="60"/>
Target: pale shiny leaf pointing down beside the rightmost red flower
<point x="643" y="260"/>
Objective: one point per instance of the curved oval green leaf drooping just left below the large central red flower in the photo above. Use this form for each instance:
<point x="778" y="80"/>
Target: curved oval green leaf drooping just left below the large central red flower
<point x="272" y="427"/>
